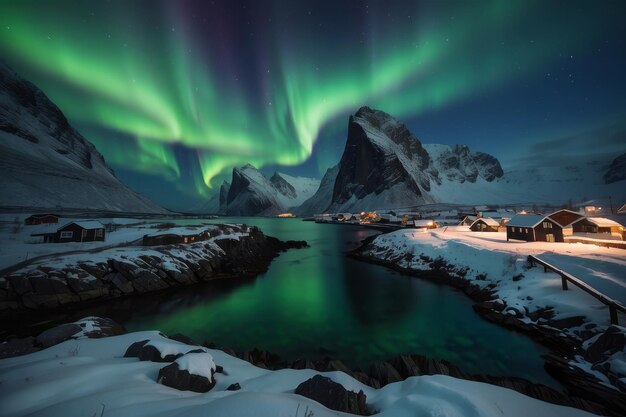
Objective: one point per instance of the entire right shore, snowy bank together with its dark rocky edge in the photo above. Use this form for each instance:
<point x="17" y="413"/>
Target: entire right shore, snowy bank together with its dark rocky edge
<point x="496" y="276"/>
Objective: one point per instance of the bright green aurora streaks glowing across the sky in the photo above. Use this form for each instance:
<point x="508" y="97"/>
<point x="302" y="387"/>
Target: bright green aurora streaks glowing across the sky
<point x="142" y="80"/>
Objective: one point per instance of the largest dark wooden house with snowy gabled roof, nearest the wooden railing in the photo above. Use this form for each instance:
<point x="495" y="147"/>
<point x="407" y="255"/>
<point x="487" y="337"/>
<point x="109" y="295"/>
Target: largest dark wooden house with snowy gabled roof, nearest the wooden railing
<point x="534" y="228"/>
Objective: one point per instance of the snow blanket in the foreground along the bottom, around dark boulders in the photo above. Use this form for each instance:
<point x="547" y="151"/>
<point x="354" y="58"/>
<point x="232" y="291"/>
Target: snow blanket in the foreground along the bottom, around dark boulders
<point x="90" y="377"/>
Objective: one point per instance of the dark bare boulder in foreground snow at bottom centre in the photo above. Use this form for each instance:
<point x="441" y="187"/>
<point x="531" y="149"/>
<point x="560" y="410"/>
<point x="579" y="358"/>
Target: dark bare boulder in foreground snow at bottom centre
<point x="333" y="395"/>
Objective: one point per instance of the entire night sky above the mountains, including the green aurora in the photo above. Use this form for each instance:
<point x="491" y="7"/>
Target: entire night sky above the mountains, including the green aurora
<point x="174" y="94"/>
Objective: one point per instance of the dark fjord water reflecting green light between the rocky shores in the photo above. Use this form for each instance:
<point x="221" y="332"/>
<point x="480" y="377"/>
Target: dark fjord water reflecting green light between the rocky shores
<point x="316" y="302"/>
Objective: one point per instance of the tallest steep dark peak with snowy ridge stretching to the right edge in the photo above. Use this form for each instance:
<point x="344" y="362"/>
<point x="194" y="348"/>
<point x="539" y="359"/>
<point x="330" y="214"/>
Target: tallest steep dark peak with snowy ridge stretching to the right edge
<point x="385" y="166"/>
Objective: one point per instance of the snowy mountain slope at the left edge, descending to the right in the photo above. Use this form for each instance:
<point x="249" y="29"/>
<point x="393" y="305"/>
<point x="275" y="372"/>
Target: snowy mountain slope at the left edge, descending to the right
<point x="46" y="163"/>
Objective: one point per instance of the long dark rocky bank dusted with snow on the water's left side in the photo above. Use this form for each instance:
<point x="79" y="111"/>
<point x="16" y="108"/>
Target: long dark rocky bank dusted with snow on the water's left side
<point x="233" y="251"/>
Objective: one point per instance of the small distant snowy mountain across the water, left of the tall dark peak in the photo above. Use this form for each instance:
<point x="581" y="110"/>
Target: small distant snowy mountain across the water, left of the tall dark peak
<point x="251" y="193"/>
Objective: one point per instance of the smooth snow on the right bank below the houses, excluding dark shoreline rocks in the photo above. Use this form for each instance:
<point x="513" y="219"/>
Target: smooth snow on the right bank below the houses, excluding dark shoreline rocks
<point x="489" y="254"/>
